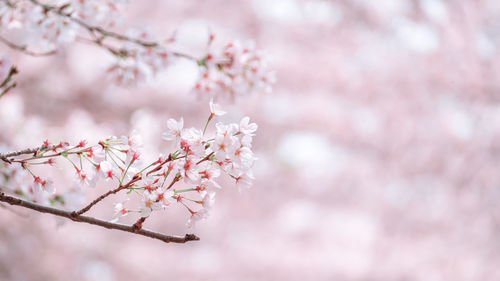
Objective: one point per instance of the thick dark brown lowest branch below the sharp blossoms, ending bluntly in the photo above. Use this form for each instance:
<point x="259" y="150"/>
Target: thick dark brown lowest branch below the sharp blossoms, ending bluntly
<point x="91" y="220"/>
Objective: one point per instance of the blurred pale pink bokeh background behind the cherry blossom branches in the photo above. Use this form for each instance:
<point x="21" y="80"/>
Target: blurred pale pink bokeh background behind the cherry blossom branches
<point x="378" y="149"/>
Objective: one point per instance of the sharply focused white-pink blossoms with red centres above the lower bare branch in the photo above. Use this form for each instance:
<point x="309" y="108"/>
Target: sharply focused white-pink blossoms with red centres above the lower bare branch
<point x="187" y="176"/>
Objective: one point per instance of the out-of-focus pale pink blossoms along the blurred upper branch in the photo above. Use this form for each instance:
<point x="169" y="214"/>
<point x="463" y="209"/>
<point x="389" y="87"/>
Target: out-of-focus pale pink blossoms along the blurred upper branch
<point x="228" y="70"/>
